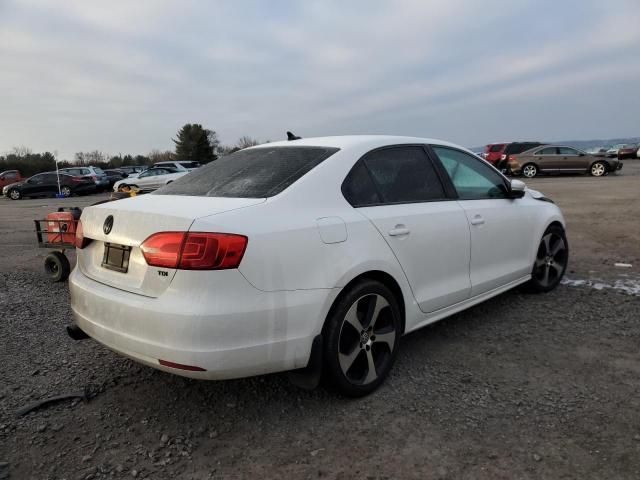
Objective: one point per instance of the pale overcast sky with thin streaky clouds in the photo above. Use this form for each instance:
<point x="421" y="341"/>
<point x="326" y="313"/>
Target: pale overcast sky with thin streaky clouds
<point x="123" y="76"/>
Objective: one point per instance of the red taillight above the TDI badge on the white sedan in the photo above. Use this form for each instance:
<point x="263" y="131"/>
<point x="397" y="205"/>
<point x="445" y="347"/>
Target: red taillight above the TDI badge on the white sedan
<point x="194" y="250"/>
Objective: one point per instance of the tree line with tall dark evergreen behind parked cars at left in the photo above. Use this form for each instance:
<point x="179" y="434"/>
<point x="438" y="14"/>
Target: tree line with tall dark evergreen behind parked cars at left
<point x="193" y="142"/>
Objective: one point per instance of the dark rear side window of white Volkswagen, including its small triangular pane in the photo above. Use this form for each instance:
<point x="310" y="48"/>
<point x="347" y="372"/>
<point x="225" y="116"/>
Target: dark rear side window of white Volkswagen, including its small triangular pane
<point x="397" y="175"/>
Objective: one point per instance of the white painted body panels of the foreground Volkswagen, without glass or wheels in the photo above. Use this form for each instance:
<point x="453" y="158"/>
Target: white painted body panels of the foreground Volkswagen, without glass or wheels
<point x="305" y="245"/>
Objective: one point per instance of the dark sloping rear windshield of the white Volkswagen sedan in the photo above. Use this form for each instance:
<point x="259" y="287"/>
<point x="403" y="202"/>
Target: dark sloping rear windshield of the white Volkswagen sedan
<point x="253" y="173"/>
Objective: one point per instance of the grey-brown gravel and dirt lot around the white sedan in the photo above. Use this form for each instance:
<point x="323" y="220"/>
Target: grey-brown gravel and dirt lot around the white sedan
<point x="522" y="386"/>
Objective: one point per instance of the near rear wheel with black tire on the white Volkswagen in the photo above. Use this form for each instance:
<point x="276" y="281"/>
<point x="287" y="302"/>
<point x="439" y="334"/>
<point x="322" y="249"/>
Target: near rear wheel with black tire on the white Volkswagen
<point x="375" y="309"/>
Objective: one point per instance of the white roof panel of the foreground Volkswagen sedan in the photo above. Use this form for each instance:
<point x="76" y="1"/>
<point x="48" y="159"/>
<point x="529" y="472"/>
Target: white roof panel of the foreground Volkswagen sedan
<point x="353" y="141"/>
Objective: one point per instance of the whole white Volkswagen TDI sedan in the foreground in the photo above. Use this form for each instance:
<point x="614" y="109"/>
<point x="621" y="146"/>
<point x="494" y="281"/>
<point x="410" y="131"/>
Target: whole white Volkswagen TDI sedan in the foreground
<point x="315" y="255"/>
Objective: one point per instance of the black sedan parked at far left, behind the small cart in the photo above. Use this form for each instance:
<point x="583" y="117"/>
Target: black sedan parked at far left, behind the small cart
<point x="46" y="184"/>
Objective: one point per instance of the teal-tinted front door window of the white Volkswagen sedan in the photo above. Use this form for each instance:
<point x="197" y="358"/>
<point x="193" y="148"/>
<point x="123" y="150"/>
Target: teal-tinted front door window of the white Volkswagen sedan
<point x="472" y="178"/>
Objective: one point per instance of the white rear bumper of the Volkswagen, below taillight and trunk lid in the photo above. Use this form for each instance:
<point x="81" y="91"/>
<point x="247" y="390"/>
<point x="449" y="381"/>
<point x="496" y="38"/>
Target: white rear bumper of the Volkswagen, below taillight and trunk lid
<point x="219" y="323"/>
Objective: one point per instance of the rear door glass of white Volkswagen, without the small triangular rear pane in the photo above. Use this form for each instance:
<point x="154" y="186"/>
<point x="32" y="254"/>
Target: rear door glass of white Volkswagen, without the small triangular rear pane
<point x="404" y="175"/>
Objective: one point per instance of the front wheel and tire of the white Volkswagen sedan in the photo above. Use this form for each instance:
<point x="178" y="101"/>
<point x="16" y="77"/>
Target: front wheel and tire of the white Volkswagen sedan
<point x="551" y="261"/>
